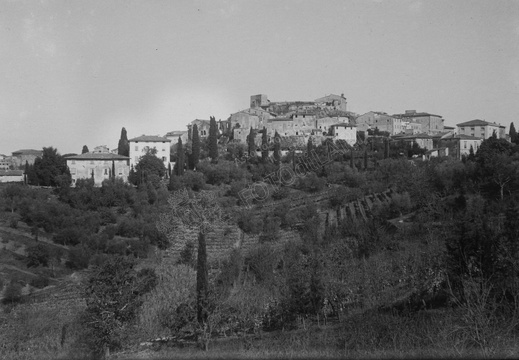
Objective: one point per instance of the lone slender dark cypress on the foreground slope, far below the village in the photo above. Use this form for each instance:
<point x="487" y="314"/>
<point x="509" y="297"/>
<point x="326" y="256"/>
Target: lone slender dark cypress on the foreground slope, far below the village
<point x="202" y="283"/>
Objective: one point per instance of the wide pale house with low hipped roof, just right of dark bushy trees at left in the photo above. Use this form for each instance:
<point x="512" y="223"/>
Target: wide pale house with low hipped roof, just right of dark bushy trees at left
<point x="99" y="165"/>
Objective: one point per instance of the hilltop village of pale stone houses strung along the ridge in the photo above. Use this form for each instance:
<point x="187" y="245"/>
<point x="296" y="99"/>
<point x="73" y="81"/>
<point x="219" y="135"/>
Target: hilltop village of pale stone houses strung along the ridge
<point x="295" y="121"/>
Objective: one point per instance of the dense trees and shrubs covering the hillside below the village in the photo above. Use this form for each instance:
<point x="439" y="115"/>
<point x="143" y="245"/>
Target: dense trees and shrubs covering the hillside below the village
<point x="454" y="248"/>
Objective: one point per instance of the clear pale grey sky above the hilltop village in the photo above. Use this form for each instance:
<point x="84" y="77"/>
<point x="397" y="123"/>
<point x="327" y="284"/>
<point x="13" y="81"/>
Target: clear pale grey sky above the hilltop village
<point x="73" y="73"/>
